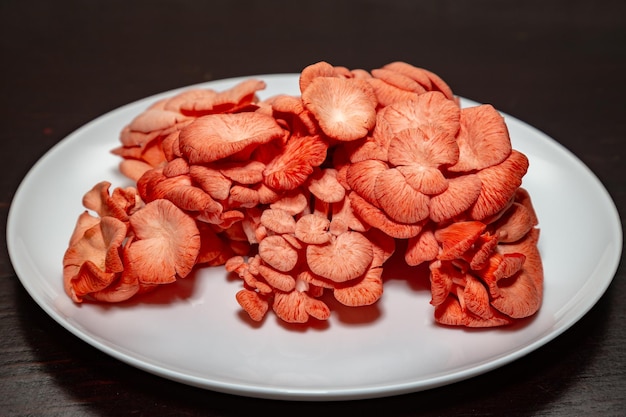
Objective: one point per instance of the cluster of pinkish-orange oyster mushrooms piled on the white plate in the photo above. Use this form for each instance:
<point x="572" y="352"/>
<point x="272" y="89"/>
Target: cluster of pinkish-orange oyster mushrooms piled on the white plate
<point x="302" y="196"/>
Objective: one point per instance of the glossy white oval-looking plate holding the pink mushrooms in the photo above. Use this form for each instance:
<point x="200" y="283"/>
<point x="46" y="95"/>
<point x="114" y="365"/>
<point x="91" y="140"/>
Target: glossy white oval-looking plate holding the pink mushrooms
<point x="197" y="335"/>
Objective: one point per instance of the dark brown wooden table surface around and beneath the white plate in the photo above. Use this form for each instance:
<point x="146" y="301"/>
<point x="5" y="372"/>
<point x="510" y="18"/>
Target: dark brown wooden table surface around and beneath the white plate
<point x="557" y="65"/>
